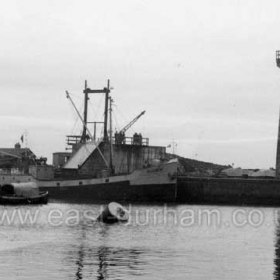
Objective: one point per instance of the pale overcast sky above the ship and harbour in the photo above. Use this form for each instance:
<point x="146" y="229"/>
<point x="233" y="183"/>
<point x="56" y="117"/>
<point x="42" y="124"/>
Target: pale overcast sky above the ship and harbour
<point x="203" y="70"/>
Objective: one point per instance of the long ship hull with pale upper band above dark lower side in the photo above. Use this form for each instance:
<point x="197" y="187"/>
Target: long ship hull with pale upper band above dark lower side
<point x="153" y="184"/>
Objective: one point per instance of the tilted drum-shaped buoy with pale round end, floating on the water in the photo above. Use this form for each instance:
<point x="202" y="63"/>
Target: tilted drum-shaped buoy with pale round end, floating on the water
<point x="113" y="213"/>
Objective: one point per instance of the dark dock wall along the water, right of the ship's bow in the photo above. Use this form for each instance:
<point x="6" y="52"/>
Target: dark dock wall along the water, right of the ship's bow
<point x="229" y="191"/>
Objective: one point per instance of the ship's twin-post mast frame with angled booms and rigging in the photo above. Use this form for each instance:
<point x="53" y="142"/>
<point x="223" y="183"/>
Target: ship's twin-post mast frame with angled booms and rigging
<point x="86" y="142"/>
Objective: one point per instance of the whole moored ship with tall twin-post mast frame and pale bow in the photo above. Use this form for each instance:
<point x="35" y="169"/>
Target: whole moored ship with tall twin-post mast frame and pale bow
<point x="111" y="168"/>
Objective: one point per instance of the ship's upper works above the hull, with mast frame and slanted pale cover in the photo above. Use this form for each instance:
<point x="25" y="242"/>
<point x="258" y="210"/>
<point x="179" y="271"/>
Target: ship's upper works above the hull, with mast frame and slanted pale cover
<point x="111" y="155"/>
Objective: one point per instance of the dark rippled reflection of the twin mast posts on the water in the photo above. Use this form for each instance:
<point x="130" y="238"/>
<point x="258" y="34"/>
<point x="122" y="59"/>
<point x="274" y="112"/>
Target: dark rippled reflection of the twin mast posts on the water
<point x="106" y="261"/>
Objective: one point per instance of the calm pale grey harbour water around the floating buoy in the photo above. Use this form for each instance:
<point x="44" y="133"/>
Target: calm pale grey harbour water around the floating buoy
<point x="62" y="241"/>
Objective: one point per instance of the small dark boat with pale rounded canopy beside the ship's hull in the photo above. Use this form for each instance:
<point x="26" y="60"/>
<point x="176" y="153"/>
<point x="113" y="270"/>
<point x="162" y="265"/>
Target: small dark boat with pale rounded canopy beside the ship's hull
<point x="22" y="193"/>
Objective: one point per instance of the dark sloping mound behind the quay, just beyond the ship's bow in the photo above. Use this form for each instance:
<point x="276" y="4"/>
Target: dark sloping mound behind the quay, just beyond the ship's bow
<point x="198" y="168"/>
